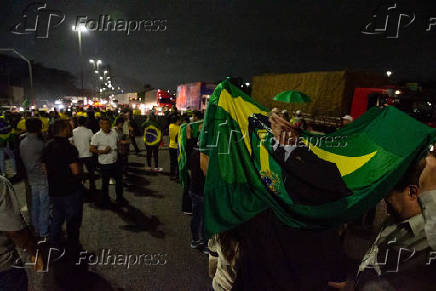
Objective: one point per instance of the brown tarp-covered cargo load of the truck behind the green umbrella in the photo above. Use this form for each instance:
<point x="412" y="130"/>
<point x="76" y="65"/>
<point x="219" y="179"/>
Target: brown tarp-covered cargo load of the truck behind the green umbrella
<point x="331" y="92"/>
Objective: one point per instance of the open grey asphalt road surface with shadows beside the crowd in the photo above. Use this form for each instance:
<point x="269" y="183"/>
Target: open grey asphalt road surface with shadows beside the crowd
<point x="146" y="244"/>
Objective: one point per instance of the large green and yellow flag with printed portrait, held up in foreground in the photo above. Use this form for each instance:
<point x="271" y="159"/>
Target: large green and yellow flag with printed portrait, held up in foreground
<point x="365" y="159"/>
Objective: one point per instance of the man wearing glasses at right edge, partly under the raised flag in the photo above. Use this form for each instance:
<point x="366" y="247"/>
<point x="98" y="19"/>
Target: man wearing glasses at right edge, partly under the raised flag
<point x="402" y="256"/>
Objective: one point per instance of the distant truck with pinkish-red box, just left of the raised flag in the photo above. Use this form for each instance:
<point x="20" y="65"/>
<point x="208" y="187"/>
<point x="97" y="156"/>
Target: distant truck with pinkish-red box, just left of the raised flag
<point x="194" y="96"/>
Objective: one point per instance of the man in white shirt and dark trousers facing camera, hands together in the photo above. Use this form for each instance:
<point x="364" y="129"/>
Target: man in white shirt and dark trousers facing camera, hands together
<point x="105" y="144"/>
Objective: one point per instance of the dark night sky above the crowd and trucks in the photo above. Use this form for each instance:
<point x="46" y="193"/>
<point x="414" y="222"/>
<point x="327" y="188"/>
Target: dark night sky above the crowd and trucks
<point x="209" y="40"/>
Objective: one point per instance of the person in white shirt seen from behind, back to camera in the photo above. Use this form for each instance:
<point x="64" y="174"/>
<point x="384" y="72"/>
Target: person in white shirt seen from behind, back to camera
<point x="82" y="140"/>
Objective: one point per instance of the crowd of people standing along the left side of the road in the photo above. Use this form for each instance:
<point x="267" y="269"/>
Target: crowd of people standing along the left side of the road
<point x="50" y="152"/>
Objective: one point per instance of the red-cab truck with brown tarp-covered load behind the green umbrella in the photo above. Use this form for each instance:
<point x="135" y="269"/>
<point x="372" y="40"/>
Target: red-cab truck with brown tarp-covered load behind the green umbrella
<point x="336" y="93"/>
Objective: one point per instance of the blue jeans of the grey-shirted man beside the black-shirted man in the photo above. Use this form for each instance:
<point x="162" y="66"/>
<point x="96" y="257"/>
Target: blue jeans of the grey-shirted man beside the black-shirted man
<point x="40" y="209"/>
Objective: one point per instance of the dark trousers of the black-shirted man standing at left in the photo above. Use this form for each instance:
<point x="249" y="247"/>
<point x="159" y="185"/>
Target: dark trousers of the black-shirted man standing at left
<point x="70" y="209"/>
